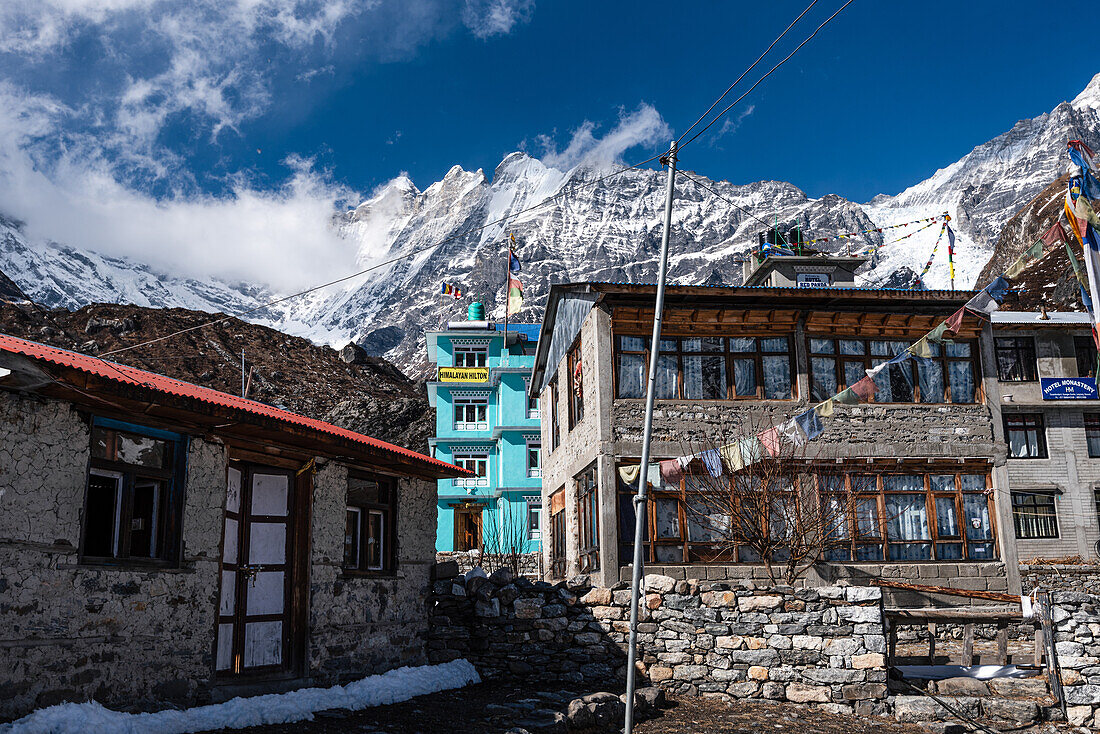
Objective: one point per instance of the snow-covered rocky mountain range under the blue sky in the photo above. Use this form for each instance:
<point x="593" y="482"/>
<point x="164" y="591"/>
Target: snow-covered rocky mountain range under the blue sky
<point x="604" y="231"/>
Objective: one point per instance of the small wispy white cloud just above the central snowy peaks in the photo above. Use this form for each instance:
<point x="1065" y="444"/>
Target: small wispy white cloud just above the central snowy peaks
<point x="643" y="127"/>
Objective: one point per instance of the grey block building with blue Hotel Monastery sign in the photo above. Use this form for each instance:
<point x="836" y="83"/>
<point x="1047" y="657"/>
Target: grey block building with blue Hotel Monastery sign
<point x="1050" y="419"/>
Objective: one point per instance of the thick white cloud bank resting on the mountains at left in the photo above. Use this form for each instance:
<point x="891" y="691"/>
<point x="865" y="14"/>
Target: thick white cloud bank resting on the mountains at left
<point x="284" y="237"/>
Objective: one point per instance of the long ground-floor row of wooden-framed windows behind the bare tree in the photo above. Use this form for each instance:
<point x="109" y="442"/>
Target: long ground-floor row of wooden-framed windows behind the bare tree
<point x="915" y="518"/>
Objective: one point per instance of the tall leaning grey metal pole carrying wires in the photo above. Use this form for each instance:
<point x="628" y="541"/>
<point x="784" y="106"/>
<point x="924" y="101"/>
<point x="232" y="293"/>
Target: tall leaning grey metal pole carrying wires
<point x="640" y="500"/>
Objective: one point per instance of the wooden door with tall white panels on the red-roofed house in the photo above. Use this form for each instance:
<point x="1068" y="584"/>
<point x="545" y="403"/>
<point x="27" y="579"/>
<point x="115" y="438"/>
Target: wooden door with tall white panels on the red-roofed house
<point x="255" y="611"/>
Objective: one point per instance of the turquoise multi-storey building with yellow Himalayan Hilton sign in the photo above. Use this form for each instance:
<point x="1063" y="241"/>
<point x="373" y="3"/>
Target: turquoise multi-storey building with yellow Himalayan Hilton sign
<point x="486" y="423"/>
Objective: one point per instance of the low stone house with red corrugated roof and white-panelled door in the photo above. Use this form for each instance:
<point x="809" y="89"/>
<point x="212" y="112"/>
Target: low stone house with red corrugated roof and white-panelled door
<point x="163" y="544"/>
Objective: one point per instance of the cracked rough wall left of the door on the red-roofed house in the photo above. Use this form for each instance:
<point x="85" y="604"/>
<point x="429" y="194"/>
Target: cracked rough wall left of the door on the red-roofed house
<point x="74" y="632"/>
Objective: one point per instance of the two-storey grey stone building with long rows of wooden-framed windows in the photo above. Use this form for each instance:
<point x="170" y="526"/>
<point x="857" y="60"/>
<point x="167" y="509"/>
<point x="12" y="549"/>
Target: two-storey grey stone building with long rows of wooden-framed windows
<point x="923" y="457"/>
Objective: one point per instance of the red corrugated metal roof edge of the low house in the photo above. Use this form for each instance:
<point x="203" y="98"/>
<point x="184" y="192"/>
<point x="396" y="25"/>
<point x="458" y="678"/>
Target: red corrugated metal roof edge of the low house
<point x="129" y="376"/>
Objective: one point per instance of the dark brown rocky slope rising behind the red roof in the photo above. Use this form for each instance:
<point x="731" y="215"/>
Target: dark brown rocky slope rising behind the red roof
<point x="349" y="388"/>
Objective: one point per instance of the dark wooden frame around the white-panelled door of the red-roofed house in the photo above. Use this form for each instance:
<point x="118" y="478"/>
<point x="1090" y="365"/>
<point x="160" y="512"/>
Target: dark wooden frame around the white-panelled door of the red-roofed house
<point x="298" y="567"/>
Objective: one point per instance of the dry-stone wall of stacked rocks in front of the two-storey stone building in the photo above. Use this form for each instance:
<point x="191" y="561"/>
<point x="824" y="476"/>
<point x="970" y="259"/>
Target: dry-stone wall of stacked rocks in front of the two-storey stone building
<point x="823" y="647"/>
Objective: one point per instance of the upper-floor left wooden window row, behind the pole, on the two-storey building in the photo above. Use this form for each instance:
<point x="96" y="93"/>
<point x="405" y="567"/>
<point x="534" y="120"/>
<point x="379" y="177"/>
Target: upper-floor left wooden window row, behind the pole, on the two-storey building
<point x="758" y="356"/>
